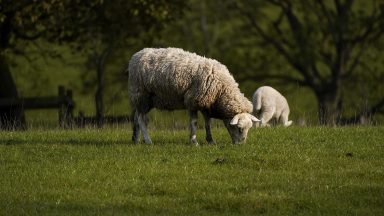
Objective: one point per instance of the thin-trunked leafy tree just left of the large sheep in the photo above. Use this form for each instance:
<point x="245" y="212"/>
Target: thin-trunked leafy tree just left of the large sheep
<point x="112" y="28"/>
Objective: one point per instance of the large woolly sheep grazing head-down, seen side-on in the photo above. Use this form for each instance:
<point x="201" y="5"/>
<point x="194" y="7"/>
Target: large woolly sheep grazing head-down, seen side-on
<point x="171" y="78"/>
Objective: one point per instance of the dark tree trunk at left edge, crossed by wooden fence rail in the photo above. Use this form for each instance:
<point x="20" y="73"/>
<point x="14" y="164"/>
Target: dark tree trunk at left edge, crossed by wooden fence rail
<point x="11" y="117"/>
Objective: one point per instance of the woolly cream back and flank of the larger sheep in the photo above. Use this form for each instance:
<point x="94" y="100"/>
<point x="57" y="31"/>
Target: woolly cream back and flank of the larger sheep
<point x="174" y="78"/>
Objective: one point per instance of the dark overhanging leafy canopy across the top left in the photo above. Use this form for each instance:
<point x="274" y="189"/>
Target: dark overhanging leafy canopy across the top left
<point x="74" y="20"/>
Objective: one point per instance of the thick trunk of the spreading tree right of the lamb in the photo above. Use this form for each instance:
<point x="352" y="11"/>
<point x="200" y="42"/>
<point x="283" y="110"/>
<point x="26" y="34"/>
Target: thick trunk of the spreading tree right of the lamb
<point x="329" y="106"/>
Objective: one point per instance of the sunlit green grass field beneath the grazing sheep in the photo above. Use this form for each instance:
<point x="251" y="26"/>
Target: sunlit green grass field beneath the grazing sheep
<point x="279" y="171"/>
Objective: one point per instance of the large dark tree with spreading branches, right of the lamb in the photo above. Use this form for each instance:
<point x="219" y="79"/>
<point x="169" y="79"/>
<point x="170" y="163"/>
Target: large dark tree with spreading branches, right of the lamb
<point x="325" y="42"/>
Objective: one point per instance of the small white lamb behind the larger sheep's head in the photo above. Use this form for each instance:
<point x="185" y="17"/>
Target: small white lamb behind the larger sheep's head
<point x="269" y="103"/>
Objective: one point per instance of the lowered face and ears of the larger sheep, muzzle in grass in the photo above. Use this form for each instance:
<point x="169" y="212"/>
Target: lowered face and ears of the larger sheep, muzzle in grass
<point x="239" y="125"/>
